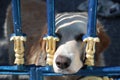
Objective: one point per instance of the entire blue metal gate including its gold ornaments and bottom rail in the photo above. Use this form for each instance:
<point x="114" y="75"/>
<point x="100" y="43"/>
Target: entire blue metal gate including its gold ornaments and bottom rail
<point x="38" y="72"/>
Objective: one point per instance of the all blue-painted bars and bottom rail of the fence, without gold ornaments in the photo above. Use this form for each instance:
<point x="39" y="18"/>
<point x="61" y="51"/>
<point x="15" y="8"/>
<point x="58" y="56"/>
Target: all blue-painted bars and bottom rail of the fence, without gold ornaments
<point x="38" y="72"/>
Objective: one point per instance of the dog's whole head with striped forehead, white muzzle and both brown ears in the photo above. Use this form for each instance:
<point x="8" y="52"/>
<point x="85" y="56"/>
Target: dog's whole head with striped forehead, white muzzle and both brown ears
<point x="70" y="50"/>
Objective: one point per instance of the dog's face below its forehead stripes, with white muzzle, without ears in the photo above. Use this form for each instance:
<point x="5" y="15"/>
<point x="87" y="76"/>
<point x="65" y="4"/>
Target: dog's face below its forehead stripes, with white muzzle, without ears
<point x="68" y="57"/>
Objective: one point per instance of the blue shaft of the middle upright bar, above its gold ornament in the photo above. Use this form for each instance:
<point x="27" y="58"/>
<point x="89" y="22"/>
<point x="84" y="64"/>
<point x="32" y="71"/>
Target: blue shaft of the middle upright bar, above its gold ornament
<point x="51" y="17"/>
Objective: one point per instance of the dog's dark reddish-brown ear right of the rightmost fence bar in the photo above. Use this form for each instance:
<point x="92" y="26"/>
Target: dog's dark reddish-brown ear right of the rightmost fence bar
<point x="103" y="44"/>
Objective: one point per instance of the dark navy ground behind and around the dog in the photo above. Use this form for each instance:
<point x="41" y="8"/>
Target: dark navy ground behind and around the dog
<point x="112" y="26"/>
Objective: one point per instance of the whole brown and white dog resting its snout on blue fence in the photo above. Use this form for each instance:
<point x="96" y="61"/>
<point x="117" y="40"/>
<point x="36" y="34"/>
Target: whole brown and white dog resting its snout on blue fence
<point x="70" y="28"/>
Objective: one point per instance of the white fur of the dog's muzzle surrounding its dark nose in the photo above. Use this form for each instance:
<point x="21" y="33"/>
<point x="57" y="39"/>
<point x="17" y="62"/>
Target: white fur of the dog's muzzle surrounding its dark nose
<point x="71" y="51"/>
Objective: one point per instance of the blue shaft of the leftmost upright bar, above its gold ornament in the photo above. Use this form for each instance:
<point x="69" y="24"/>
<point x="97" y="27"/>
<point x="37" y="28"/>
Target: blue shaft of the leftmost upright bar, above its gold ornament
<point x="16" y="17"/>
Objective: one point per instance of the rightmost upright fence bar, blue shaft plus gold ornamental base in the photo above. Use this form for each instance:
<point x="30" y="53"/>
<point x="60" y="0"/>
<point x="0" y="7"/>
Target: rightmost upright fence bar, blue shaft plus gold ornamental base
<point x="91" y="38"/>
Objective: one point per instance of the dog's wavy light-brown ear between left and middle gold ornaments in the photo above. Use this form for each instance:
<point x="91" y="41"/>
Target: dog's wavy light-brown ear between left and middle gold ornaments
<point x="37" y="53"/>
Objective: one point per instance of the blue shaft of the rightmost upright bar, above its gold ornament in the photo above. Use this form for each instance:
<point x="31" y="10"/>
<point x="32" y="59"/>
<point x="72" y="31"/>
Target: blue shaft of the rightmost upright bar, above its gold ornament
<point x="92" y="12"/>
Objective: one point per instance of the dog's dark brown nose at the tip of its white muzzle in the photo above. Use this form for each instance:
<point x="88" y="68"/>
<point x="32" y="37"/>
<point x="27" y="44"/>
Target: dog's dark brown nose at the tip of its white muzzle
<point x="63" y="62"/>
